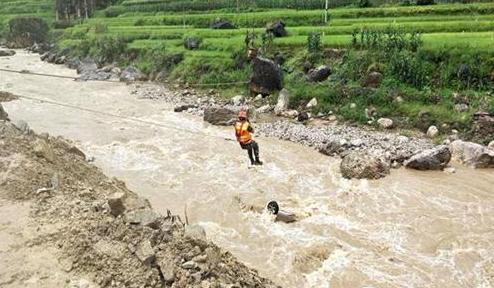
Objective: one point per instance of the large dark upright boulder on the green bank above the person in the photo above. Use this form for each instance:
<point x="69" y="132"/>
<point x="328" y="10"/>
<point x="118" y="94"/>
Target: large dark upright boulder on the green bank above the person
<point x="266" y="76"/>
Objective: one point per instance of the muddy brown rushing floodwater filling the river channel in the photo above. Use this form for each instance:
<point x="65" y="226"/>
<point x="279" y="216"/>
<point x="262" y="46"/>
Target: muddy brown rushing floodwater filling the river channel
<point x="411" y="229"/>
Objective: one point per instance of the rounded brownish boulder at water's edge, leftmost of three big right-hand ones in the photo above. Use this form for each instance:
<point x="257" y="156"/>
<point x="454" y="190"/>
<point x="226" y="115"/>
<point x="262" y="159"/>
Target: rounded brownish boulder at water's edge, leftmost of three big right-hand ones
<point x="361" y="165"/>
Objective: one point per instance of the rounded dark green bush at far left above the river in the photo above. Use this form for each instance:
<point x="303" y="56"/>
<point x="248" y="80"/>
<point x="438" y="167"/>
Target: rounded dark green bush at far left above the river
<point x="25" y="31"/>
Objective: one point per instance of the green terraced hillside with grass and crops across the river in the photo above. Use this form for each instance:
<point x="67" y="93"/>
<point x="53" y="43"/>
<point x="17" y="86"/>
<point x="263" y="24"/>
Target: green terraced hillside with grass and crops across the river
<point x="432" y="57"/>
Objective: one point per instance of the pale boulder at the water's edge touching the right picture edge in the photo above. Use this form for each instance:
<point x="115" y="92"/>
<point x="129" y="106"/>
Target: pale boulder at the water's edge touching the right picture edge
<point x="472" y="154"/>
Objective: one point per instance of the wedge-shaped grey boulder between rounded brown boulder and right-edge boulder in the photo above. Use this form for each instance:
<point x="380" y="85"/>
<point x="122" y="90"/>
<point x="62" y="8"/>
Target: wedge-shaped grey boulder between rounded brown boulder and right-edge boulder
<point x="432" y="159"/>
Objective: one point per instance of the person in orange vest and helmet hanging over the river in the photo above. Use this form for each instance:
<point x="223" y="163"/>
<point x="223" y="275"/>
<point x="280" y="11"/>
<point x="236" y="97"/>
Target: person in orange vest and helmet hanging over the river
<point x="243" y="132"/>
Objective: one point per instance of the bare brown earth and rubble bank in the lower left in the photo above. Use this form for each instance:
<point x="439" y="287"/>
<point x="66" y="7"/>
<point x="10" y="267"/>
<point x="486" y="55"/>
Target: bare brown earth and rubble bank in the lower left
<point x="102" y="234"/>
